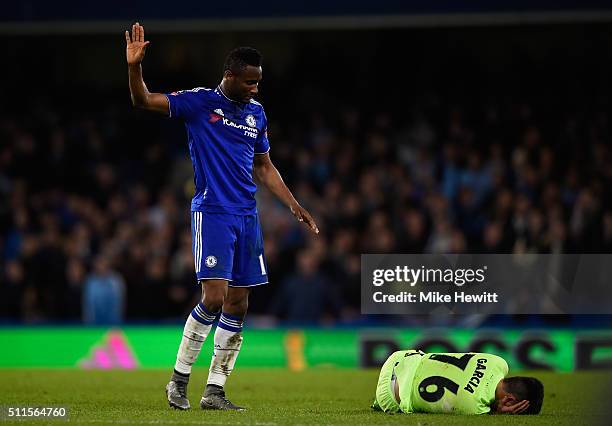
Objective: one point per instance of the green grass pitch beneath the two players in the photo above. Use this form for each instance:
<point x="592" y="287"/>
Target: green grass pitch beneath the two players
<point x="274" y="397"/>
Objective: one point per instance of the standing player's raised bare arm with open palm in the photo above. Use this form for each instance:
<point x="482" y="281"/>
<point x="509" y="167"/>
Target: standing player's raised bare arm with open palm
<point x="135" y="51"/>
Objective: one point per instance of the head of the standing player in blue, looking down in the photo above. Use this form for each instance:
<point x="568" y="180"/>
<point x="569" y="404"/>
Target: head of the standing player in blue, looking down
<point x="242" y="73"/>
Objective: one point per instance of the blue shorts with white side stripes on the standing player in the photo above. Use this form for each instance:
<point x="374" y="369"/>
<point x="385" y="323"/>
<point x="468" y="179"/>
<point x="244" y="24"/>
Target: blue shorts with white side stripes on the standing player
<point x="228" y="247"/>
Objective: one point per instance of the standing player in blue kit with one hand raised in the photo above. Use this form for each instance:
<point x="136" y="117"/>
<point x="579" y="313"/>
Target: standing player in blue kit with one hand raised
<point x="227" y="131"/>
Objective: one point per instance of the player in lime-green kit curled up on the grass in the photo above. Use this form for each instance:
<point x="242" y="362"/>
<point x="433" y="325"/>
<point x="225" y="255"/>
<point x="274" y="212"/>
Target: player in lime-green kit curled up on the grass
<point x="457" y="383"/>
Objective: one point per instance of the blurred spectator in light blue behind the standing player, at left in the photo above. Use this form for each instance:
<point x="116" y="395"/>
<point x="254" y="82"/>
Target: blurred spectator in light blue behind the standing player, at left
<point x="103" y="295"/>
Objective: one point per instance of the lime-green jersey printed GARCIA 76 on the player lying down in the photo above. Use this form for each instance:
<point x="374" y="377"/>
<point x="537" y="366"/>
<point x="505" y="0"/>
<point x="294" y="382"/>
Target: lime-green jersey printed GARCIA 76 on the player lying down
<point x="457" y="383"/>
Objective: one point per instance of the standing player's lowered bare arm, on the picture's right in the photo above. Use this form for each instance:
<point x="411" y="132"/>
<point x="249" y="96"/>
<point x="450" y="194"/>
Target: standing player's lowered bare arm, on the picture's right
<point x="267" y="174"/>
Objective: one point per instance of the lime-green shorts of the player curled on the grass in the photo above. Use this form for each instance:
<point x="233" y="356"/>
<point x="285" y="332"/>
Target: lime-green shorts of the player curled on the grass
<point x="404" y="366"/>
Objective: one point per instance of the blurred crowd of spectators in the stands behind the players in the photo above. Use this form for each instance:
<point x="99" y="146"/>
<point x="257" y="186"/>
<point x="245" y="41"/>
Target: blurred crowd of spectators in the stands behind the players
<point x="94" y="210"/>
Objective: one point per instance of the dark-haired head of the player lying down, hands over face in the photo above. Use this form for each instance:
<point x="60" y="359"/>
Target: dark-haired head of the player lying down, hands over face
<point x="512" y="390"/>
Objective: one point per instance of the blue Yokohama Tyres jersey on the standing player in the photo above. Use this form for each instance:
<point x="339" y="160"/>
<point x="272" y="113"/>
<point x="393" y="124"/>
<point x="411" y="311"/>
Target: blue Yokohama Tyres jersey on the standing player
<point x="223" y="135"/>
